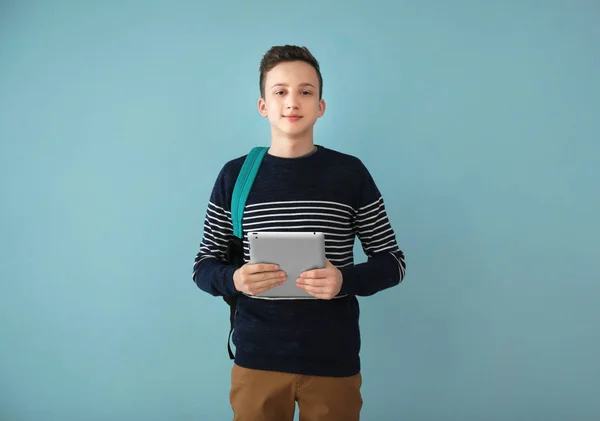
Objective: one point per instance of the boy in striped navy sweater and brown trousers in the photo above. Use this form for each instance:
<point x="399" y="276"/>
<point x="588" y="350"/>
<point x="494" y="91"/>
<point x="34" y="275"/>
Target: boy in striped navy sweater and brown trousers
<point x="303" y="351"/>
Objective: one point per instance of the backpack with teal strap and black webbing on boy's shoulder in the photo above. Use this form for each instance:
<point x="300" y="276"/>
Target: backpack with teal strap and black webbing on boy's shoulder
<point x="235" y="247"/>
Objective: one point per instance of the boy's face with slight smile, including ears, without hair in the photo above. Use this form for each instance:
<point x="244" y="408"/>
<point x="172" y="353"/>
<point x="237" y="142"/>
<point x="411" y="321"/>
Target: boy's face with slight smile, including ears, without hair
<point x="291" y="101"/>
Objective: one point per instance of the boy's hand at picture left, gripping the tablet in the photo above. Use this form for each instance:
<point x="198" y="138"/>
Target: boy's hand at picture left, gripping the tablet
<point x="254" y="279"/>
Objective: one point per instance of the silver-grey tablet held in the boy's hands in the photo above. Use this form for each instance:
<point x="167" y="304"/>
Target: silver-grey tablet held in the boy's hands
<point x="294" y="252"/>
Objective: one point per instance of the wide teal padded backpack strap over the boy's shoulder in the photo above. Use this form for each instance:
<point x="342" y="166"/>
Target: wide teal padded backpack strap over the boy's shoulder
<point x="243" y="185"/>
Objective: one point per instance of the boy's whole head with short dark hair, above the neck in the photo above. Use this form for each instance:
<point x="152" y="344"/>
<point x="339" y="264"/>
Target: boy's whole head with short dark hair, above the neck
<point x="291" y="88"/>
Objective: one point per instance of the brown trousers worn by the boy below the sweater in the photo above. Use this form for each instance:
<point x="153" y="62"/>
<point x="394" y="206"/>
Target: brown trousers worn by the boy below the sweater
<point x="258" y="395"/>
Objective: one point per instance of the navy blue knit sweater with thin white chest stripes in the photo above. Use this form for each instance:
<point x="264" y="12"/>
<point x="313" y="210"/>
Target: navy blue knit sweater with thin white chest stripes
<point x="325" y="191"/>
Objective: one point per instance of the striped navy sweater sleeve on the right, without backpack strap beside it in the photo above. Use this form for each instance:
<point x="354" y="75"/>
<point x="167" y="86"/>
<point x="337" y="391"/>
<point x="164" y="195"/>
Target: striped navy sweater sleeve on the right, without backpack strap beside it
<point x="385" y="266"/>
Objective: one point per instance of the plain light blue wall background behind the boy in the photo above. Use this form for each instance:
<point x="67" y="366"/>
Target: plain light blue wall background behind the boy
<point x="479" y="121"/>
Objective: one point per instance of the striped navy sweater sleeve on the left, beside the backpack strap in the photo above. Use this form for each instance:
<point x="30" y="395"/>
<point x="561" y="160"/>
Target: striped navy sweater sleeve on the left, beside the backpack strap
<point x="211" y="273"/>
